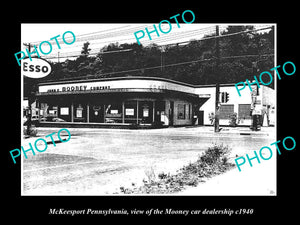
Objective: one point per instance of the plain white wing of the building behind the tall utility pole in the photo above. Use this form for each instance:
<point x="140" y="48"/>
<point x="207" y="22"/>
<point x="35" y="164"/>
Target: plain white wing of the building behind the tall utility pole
<point x="231" y="103"/>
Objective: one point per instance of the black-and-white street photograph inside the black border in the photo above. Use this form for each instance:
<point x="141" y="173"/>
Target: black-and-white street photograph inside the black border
<point x="145" y="109"/>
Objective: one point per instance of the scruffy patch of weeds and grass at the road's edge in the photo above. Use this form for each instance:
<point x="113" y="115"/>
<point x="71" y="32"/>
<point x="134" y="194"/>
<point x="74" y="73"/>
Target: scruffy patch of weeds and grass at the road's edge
<point x="214" y="161"/>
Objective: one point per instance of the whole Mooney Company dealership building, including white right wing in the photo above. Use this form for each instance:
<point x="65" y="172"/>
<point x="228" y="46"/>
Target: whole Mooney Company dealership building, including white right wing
<point x="143" y="101"/>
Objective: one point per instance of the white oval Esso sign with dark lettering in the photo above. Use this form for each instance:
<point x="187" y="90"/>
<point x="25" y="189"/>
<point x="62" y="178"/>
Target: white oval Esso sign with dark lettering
<point x="36" y="68"/>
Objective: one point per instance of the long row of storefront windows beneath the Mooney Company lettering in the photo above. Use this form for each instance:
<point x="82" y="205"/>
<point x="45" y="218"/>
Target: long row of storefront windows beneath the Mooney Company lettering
<point x="95" y="110"/>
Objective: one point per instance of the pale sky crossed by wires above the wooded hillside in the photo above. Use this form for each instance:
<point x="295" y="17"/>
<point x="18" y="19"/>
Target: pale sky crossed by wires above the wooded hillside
<point x="100" y="35"/>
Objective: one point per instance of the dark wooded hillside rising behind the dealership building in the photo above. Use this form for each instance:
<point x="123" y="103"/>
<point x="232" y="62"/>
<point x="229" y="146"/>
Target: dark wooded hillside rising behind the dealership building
<point x="241" y="56"/>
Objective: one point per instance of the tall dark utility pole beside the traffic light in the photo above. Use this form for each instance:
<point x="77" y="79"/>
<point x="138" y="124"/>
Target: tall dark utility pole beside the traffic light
<point x="217" y="104"/>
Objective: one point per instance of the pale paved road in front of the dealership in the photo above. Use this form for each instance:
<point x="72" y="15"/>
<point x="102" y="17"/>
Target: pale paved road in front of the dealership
<point x="100" y="161"/>
